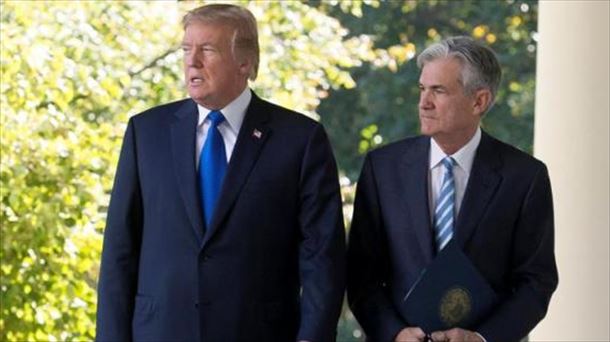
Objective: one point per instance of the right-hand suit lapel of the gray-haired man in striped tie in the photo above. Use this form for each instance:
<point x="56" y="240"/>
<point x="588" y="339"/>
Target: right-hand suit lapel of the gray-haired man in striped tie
<point x="482" y="184"/>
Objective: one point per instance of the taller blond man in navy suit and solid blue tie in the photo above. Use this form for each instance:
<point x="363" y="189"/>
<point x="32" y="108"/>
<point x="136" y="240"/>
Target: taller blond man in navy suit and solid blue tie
<point x="225" y="221"/>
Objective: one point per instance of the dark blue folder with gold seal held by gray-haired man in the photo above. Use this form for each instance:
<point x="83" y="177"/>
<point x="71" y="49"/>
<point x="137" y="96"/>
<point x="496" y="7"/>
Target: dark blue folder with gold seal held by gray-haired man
<point x="449" y="293"/>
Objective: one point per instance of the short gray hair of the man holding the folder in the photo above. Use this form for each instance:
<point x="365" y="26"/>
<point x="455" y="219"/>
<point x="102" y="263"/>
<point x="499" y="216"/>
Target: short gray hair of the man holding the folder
<point x="480" y="67"/>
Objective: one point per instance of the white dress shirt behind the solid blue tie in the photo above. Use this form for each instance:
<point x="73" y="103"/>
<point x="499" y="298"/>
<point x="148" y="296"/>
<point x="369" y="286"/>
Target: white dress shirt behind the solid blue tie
<point x="234" y="114"/>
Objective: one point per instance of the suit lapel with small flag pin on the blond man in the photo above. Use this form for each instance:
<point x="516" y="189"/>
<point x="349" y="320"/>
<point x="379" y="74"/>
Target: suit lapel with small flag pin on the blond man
<point x="252" y="136"/>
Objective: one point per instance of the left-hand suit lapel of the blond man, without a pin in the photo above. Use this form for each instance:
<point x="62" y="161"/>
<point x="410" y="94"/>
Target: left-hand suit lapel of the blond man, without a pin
<point x="183" y="137"/>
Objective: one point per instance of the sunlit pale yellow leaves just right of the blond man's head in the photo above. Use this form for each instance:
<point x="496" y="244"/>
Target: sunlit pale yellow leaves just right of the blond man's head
<point x="304" y="51"/>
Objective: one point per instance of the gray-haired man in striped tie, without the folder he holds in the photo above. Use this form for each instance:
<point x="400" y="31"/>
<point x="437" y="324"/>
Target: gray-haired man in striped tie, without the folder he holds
<point x="454" y="182"/>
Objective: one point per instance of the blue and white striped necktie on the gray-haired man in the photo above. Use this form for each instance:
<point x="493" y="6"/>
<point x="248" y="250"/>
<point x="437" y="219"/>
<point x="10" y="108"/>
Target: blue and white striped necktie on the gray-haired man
<point x="443" y="214"/>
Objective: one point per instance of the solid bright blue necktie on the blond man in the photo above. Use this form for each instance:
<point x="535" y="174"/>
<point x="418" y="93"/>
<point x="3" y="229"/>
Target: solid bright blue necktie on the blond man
<point x="212" y="166"/>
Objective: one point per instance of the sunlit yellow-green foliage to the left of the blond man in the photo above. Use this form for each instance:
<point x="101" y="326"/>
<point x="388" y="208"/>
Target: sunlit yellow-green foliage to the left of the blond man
<point x="66" y="91"/>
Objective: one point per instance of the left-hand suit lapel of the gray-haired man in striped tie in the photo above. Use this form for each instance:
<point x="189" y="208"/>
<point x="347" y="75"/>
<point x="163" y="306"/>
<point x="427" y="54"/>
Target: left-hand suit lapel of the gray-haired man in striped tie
<point x="414" y="179"/>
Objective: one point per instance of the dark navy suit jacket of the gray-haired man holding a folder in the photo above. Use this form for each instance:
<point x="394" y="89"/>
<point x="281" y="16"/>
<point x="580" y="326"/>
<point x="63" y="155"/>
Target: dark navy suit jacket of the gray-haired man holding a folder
<point x="505" y="227"/>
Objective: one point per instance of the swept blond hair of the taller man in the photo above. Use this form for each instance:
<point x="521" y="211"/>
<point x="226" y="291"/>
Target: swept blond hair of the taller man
<point x="240" y="19"/>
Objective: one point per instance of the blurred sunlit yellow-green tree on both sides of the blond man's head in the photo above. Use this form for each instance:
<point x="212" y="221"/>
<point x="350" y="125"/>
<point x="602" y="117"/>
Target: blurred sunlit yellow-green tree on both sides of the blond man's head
<point x="71" y="74"/>
